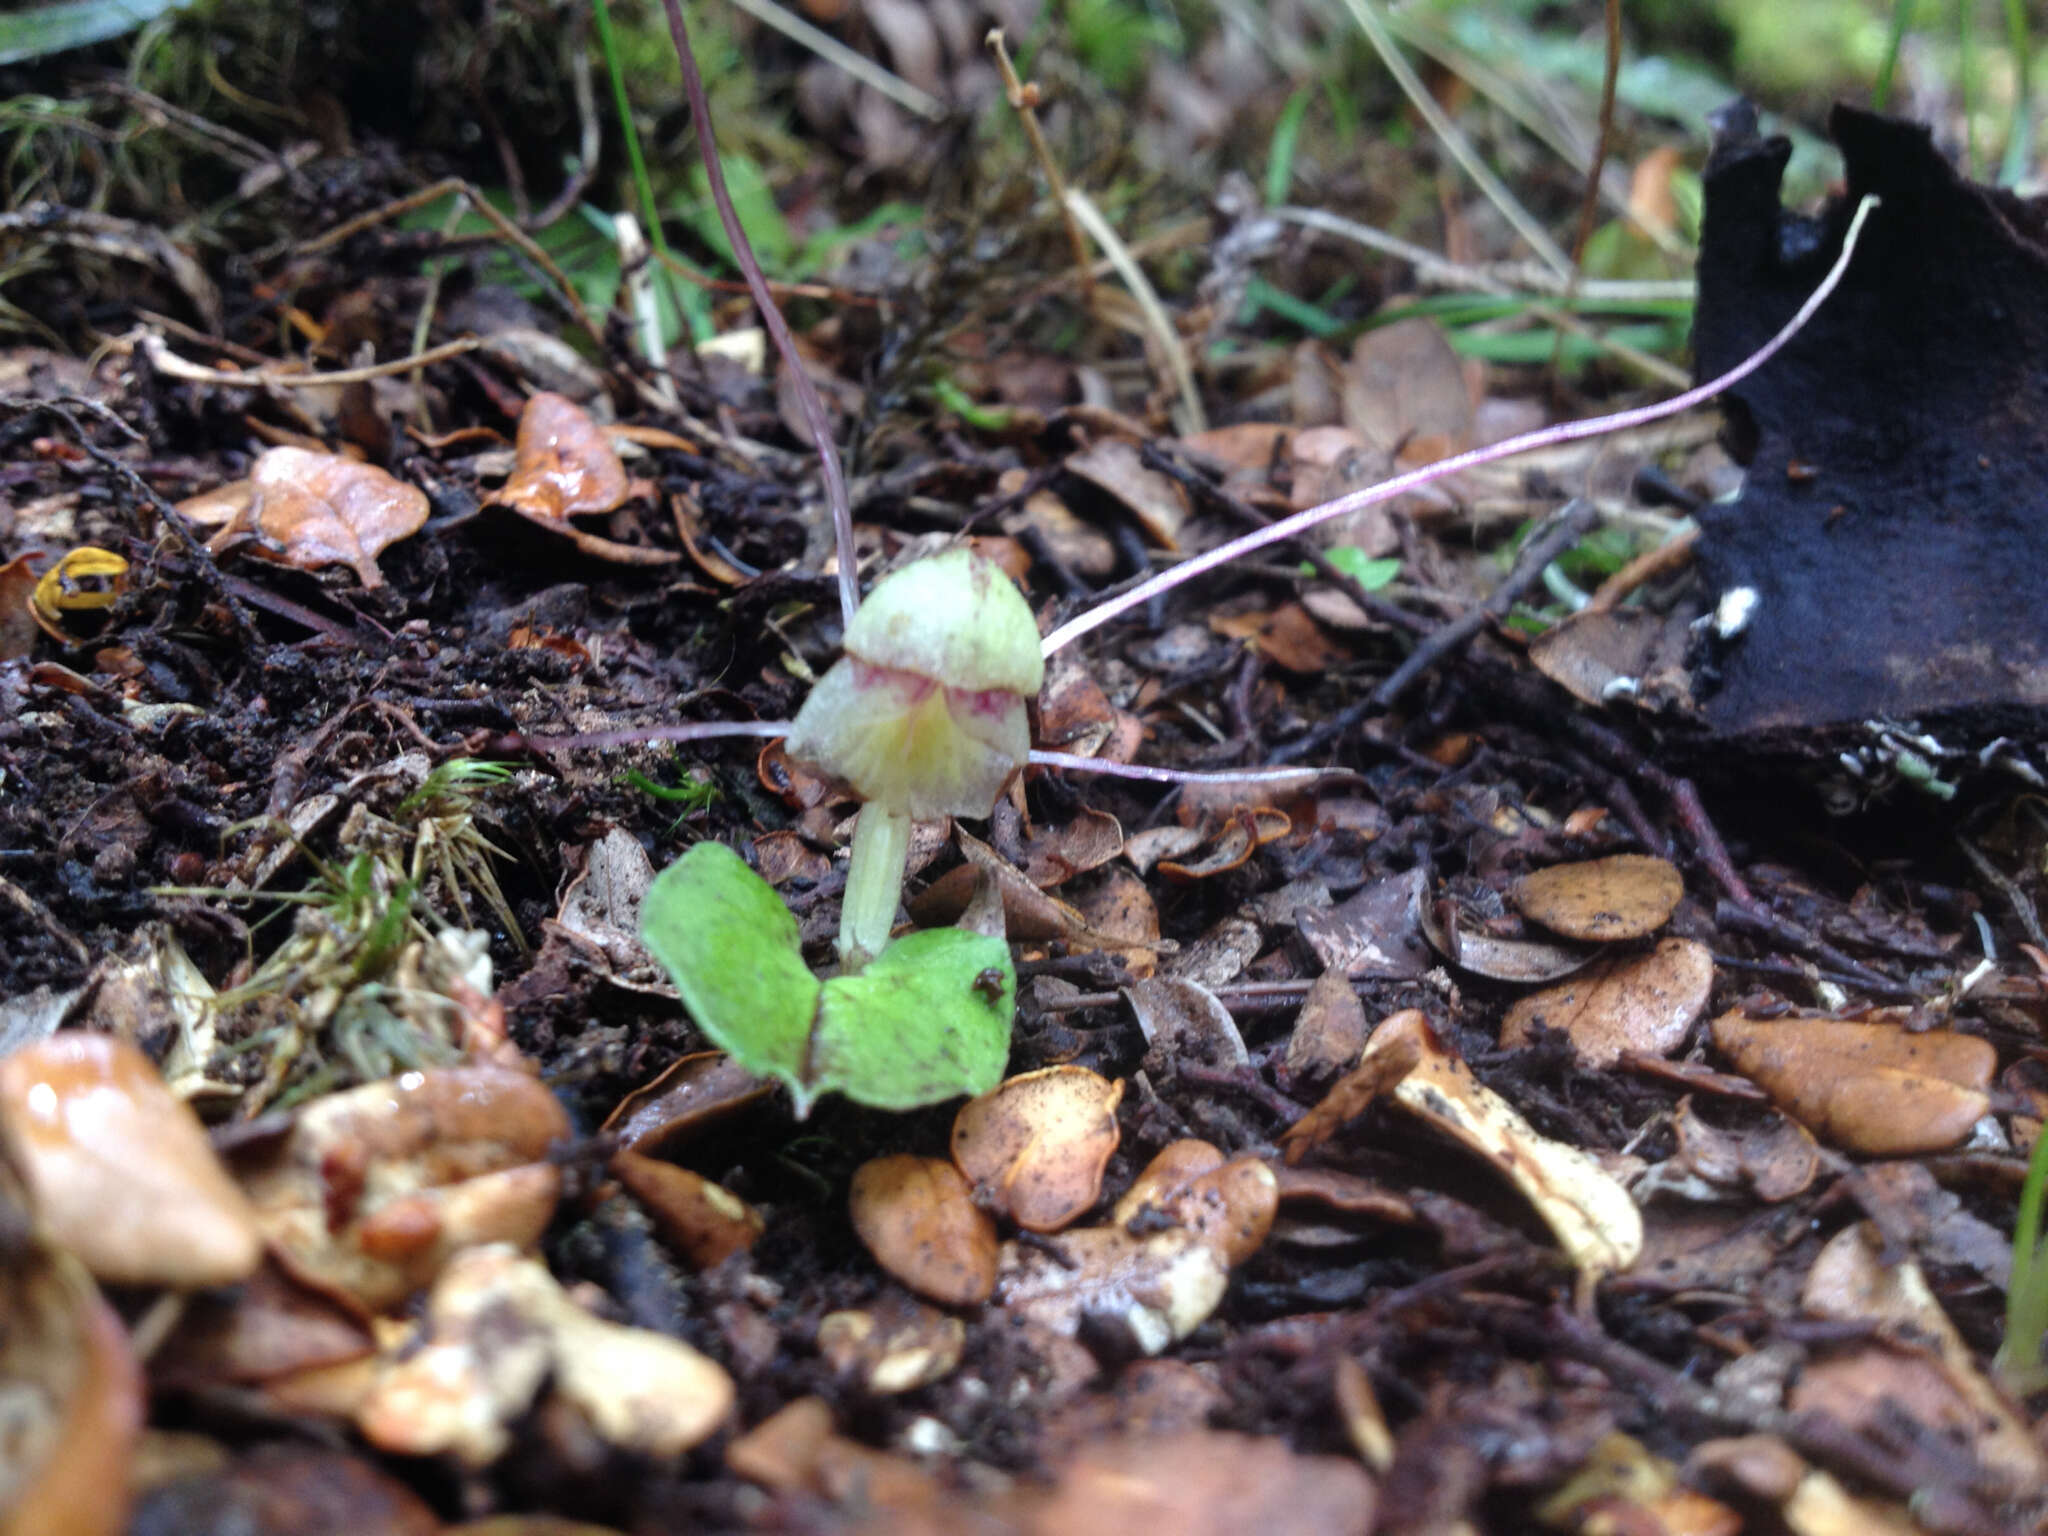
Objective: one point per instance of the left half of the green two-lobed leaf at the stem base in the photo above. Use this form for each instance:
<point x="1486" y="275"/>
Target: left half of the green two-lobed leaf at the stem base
<point x="734" y="951"/>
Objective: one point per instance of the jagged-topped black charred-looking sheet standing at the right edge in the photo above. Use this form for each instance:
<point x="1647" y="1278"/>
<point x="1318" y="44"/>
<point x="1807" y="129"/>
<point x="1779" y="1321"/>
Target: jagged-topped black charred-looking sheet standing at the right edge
<point x="1897" y="499"/>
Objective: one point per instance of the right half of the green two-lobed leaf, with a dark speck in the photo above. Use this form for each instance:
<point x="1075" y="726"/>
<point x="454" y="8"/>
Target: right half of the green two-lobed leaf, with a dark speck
<point x="927" y="1021"/>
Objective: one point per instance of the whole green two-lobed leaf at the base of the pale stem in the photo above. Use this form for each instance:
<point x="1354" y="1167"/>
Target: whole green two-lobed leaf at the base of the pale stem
<point x="927" y="1021"/>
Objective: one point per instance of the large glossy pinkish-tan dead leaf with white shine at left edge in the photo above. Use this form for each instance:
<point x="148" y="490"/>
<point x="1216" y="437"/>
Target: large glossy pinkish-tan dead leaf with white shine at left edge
<point x="122" y="1172"/>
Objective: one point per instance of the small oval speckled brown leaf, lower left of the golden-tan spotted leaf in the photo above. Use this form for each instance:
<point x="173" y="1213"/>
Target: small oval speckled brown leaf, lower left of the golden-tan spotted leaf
<point x="919" y="1218"/>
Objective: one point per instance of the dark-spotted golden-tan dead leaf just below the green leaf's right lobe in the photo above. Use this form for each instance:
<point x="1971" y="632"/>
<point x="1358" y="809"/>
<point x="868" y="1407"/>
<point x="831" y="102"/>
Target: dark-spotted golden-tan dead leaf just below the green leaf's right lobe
<point x="1035" y="1146"/>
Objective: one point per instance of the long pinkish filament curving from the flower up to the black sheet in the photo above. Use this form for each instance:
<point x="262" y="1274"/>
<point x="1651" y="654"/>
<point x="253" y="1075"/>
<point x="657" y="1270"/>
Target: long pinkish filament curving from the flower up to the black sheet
<point x="1469" y="460"/>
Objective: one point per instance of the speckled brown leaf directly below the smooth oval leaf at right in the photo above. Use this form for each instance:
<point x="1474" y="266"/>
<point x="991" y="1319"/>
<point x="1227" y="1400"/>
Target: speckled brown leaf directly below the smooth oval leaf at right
<point x="1644" y="1002"/>
